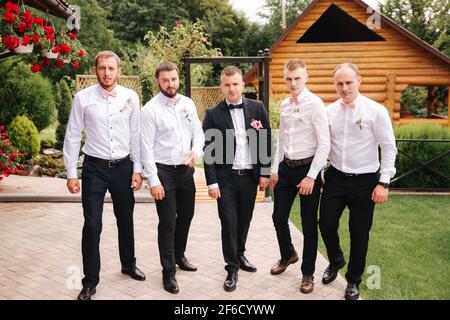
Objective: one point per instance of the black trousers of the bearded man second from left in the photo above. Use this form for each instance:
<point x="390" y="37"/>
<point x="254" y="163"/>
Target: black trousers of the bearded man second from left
<point x="175" y="213"/>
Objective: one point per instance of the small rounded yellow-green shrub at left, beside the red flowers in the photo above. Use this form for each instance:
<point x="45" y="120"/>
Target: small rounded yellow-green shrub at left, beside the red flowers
<point x="25" y="136"/>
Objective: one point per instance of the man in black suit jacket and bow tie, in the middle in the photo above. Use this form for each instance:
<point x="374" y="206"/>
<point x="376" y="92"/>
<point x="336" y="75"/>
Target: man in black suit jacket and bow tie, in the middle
<point x="237" y="159"/>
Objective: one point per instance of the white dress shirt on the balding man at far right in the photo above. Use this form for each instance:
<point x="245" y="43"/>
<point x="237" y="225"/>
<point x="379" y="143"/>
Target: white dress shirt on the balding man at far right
<point x="356" y="132"/>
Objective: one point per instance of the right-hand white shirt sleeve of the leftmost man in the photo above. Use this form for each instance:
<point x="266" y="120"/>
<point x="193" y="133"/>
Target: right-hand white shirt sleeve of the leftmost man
<point x="135" y="144"/>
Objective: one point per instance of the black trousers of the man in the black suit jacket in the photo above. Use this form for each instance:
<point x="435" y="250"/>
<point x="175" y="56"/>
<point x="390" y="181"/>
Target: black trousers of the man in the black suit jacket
<point x="235" y="208"/>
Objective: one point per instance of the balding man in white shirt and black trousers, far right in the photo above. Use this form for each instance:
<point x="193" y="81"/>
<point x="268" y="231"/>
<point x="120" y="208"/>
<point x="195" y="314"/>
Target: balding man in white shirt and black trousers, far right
<point x="356" y="178"/>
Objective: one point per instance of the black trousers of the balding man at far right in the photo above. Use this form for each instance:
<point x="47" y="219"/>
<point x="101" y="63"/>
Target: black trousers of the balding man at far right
<point x="354" y="192"/>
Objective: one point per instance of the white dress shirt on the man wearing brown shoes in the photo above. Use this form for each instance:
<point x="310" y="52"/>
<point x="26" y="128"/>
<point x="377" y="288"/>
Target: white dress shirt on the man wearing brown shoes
<point x="303" y="132"/>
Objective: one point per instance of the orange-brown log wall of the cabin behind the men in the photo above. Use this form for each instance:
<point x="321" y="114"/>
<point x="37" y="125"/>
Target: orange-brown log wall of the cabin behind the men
<point x="387" y="67"/>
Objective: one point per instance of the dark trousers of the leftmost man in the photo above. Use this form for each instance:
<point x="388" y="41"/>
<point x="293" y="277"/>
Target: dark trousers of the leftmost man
<point x="96" y="180"/>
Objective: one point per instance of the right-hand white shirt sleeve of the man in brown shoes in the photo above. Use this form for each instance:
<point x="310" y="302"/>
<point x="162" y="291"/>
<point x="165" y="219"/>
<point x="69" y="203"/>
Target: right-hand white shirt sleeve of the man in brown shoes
<point x="321" y="130"/>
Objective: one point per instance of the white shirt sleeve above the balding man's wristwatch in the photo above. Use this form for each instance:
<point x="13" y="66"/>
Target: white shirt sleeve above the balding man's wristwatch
<point x="385" y="137"/>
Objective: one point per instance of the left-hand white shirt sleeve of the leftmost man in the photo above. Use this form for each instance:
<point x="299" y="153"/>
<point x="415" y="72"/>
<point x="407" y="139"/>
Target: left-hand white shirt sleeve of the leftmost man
<point x="72" y="139"/>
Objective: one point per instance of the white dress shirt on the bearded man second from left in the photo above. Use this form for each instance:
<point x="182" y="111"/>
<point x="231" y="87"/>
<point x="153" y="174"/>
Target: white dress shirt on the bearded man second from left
<point x="170" y="130"/>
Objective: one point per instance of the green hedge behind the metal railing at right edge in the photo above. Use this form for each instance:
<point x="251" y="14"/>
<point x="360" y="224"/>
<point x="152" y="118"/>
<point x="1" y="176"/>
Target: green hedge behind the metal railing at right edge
<point x="422" y="152"/>
